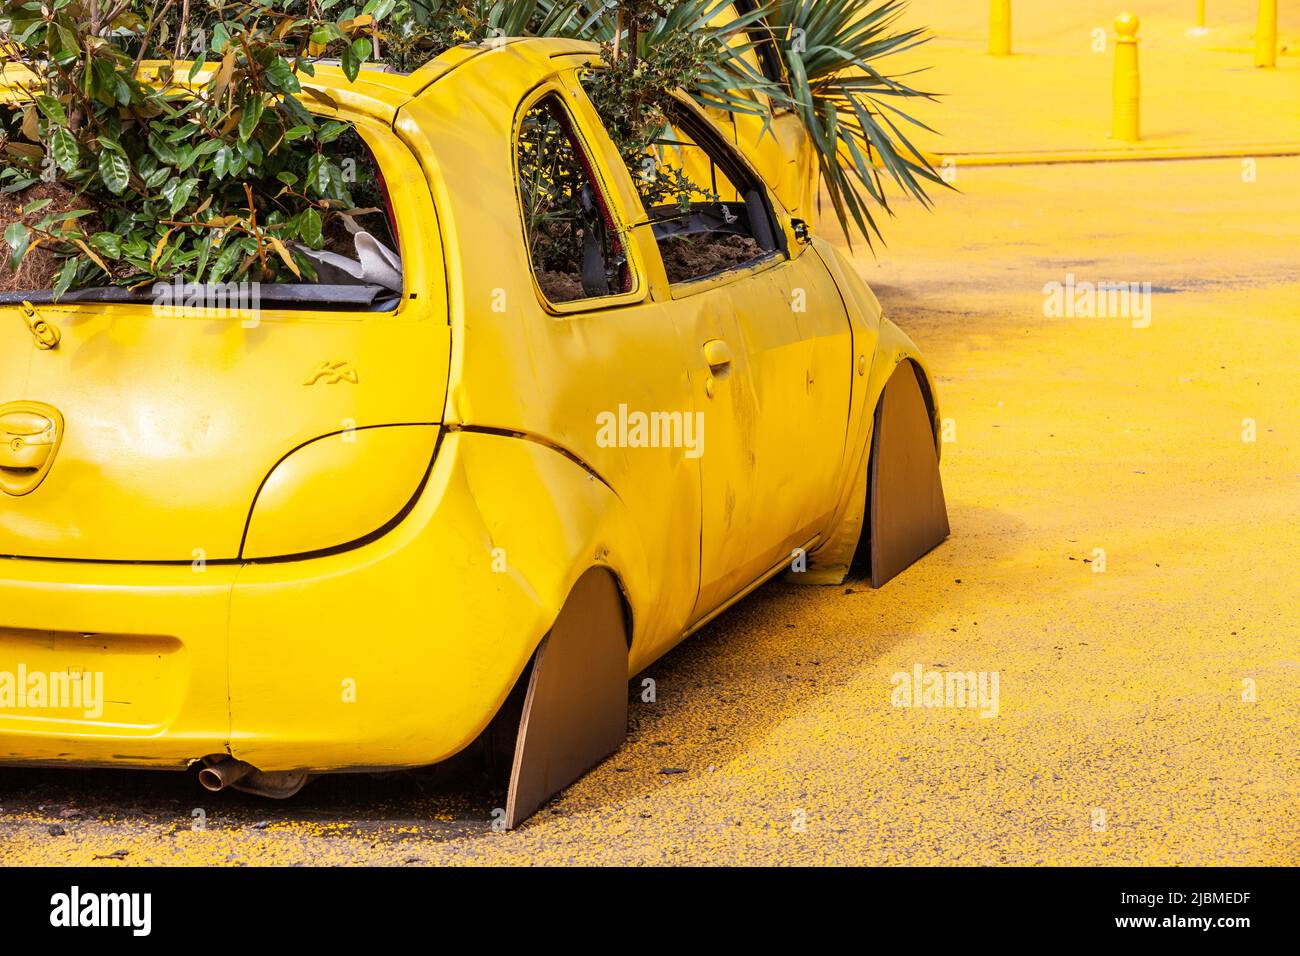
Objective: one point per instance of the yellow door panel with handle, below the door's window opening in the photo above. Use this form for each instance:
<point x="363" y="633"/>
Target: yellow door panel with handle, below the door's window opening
<point x="773" y="386"/>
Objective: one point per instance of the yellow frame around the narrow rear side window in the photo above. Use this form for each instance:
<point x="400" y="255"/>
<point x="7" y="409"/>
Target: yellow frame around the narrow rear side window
<point x="622" y="230"/>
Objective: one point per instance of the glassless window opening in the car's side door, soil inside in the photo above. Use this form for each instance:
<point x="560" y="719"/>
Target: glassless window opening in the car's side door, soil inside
<point x="709" y="211"/>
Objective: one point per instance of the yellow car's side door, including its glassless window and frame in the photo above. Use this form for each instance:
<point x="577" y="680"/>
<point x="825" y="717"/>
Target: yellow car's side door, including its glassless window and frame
<point x="769" y="353"/>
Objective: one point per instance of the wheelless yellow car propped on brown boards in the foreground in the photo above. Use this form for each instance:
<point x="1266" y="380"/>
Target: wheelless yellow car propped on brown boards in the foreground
<point x="460" y="482"/>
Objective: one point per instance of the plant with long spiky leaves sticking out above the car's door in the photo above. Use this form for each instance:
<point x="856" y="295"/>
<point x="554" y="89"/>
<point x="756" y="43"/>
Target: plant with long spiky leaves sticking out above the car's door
<point x="831" y="54"/>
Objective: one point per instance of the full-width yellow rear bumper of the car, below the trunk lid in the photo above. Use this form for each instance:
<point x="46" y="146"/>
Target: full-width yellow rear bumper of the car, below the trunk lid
<point x="397" y="654"/>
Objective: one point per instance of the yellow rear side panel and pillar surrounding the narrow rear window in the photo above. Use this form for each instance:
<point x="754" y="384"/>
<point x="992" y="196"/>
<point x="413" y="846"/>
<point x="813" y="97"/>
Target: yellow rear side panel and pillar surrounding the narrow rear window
<point x="518" y="367"/>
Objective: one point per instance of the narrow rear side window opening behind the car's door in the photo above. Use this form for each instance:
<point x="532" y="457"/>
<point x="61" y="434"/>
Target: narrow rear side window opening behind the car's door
<point x="573" y="240"/>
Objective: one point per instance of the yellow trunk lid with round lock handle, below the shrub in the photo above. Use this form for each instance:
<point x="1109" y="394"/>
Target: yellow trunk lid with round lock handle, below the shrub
<point x="171" y="423"/>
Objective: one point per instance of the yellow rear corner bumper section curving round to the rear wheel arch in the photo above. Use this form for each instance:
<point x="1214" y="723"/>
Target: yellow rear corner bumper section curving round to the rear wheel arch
<point x="401" y="652"/>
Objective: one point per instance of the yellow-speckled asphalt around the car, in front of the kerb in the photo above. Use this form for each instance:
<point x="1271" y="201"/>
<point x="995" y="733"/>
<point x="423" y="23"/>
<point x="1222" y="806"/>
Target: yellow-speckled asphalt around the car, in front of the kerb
<point x="1121" y="693"/>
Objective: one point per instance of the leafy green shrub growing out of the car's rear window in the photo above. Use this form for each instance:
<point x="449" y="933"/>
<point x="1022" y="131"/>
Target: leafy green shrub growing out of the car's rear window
<point x="206" y="171"/>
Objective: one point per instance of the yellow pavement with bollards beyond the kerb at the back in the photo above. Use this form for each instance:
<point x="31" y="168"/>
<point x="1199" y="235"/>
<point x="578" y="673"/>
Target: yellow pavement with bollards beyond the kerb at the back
<point x="1055" y="94"/>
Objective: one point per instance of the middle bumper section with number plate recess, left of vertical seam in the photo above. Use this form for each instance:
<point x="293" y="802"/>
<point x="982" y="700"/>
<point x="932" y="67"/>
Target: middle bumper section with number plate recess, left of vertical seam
<point x="145" y="656"/>
